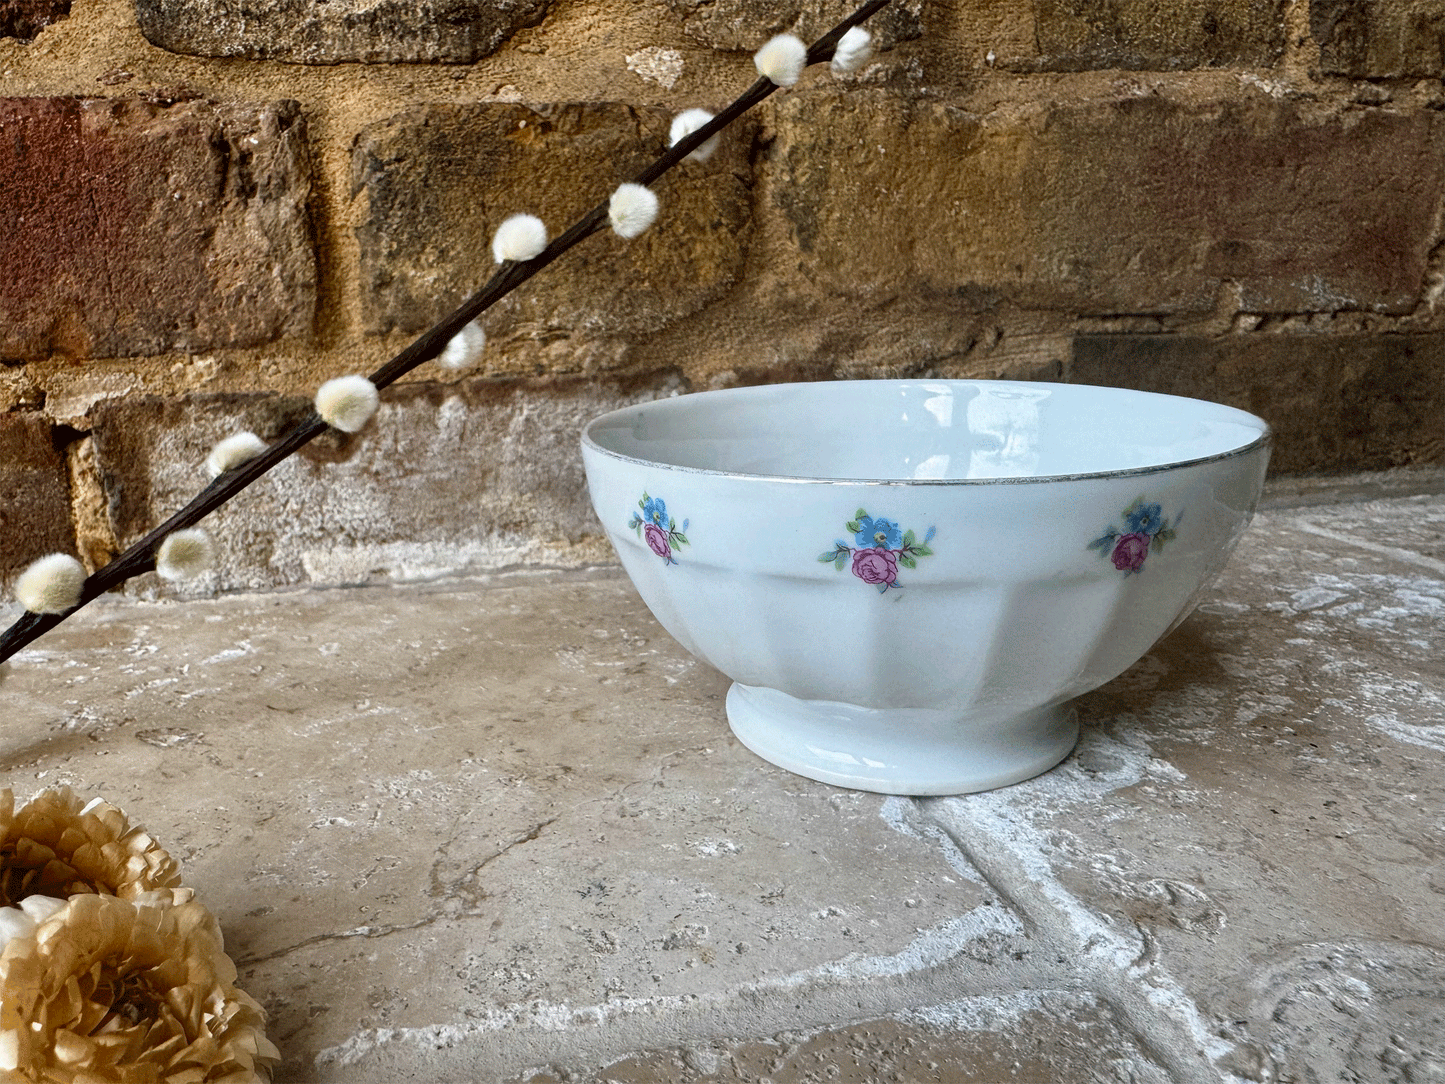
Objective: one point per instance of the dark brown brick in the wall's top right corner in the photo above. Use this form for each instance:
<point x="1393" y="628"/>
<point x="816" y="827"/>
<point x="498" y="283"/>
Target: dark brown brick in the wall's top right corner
<point x="1381" y="38"/>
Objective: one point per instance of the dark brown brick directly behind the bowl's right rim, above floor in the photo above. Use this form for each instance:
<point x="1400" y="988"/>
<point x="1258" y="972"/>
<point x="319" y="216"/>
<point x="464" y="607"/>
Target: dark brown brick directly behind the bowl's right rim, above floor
<point x="1336" y="403"/>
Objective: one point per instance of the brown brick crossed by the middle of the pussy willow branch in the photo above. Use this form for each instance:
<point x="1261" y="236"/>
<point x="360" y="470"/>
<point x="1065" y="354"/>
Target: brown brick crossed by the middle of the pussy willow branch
<point x="440" y="180"/>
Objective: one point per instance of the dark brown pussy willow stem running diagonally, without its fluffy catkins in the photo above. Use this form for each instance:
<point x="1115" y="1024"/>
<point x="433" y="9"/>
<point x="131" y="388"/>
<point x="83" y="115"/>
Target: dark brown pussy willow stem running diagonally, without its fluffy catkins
<point x="141" y="557"/>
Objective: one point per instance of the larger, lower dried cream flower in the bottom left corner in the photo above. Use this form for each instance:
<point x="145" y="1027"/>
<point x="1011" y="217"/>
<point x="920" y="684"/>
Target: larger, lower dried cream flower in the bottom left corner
<point x="131" y="992"/>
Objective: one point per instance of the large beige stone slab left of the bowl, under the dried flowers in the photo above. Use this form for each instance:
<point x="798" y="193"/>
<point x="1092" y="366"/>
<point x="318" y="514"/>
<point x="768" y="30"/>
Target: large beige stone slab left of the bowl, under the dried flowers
<point x="439" y="819"/>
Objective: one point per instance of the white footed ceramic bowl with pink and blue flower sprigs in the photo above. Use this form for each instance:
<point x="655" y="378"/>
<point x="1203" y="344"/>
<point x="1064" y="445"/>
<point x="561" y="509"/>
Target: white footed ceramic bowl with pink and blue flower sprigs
<point x="908" y="582"/>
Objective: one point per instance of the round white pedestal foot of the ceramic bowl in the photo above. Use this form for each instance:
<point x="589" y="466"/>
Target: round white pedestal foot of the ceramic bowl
<point x="900" y="751"/>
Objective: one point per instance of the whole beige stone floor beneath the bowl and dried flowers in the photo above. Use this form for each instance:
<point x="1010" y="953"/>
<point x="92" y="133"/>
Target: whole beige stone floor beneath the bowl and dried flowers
<point x="498" y="830"/>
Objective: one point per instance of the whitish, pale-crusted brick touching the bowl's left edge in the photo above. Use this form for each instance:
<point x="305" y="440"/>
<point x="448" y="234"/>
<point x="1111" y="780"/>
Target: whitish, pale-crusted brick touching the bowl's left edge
<point x="479" y="475"/>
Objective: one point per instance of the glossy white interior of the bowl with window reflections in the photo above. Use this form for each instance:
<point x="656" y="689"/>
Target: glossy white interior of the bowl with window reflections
<point x="924" y="430"/>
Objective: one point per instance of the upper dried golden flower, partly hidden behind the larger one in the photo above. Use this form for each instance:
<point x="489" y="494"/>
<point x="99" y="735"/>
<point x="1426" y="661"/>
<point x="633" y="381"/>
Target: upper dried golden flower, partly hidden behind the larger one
<point x="57" y="846"/>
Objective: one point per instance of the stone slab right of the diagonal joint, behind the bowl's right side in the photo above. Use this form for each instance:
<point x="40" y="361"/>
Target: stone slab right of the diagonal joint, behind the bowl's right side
<point x="1256" y="807"/>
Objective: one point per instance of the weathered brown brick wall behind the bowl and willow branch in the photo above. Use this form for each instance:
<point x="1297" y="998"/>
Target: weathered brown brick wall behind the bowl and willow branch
<point x="212" y="206"/>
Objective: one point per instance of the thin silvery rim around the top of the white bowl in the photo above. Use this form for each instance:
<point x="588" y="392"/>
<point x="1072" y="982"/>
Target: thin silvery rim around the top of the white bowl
<point x="1265" y="439"/>
